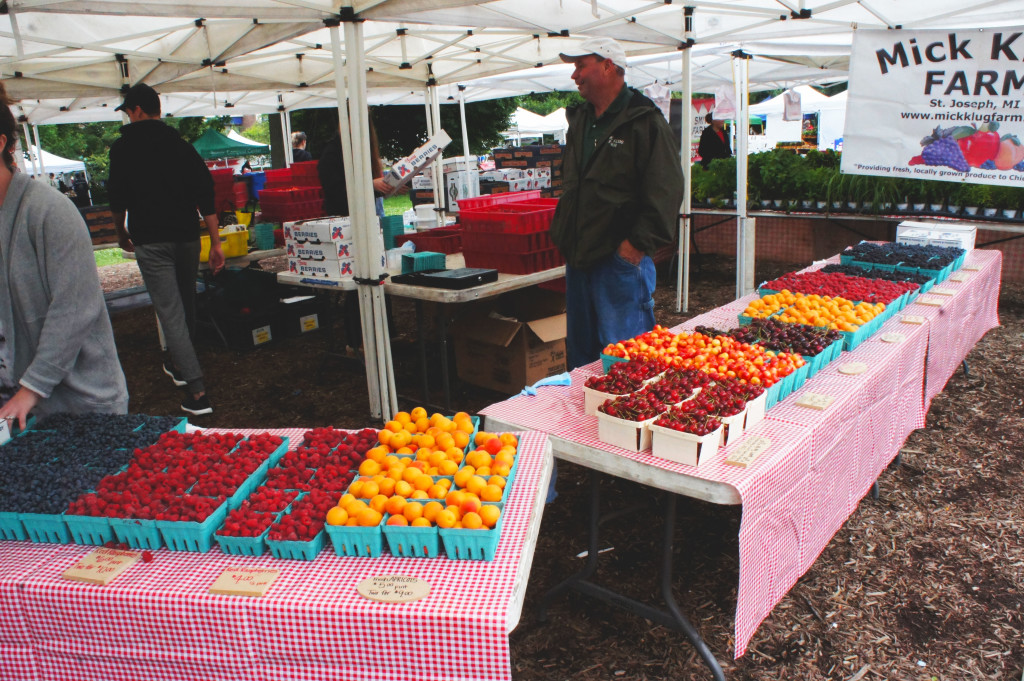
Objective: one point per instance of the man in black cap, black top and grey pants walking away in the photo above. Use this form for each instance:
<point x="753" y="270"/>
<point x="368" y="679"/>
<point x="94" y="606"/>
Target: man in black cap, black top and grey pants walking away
<point x="163" y="185"/>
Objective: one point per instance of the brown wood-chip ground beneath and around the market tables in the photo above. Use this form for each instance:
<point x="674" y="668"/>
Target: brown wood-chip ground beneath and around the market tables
<point x="924" y="584"/>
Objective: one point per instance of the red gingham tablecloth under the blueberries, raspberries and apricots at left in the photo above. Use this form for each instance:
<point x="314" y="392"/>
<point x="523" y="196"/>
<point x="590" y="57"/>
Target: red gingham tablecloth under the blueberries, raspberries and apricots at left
<point x="158" y="621"/>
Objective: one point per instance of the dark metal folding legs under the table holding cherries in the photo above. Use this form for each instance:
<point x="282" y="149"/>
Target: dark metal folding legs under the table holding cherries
<point x="673" y="618"/>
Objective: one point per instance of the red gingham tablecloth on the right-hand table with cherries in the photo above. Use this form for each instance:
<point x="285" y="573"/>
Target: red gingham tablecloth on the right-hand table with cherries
<point x="821" y="464"/>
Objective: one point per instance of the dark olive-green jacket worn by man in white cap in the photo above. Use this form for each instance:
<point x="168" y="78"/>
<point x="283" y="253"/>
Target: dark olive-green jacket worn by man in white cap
<point x="632" y="188"/>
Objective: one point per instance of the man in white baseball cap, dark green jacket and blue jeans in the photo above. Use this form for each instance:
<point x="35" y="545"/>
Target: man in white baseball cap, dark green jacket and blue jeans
<point x="623" y="187"/>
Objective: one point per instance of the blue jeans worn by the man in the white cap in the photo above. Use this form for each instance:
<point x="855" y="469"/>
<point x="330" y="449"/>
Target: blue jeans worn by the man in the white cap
<point x="612" y="302"/>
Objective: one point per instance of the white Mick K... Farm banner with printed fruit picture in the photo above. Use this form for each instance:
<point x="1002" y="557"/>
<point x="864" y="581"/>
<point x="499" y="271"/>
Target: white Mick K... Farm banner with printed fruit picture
<point x="937" y="105"/>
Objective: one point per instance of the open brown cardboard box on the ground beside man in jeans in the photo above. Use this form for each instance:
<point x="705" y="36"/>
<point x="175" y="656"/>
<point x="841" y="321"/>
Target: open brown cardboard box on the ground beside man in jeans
<point x="507" y="353"/>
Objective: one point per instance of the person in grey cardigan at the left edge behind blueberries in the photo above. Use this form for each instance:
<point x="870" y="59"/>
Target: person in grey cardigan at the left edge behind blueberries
<point x="57" y="345"/>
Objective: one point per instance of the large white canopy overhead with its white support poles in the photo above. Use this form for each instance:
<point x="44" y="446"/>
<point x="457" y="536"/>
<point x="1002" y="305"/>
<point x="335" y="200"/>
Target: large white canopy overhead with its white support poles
<point x="223" y="53"/>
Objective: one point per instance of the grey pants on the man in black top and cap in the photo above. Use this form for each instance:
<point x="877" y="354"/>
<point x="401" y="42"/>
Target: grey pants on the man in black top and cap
<point x="169" y="271"/>
